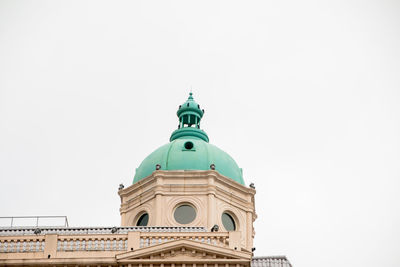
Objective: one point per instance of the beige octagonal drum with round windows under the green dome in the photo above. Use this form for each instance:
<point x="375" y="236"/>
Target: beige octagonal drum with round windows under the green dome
<point x="210" y="193"/>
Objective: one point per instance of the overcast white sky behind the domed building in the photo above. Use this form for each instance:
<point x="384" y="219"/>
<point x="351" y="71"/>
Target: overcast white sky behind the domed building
<point x="305" y="95"/>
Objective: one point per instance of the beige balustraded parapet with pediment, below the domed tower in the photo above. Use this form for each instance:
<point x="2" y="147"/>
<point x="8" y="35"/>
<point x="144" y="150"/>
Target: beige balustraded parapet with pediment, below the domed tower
<point x="135" y="249"/>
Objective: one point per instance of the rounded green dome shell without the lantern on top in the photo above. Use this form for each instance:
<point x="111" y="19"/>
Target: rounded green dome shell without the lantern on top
<point x="174" y="156"/>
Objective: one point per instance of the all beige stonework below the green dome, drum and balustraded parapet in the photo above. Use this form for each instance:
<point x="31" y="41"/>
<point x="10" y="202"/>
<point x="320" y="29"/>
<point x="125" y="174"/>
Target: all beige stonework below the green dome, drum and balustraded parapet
<point x="210" y="193"/>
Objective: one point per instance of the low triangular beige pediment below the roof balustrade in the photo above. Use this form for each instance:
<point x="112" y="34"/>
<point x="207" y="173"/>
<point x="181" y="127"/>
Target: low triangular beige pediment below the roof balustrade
<point x="183" y="251"/>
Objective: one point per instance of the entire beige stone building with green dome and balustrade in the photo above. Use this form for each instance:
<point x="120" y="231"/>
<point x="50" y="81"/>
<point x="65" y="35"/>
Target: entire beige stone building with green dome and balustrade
<point x="188" y="206"/>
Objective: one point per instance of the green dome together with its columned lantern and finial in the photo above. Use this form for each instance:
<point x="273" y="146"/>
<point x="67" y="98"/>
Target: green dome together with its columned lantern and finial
<point x="189" y="149"/>
